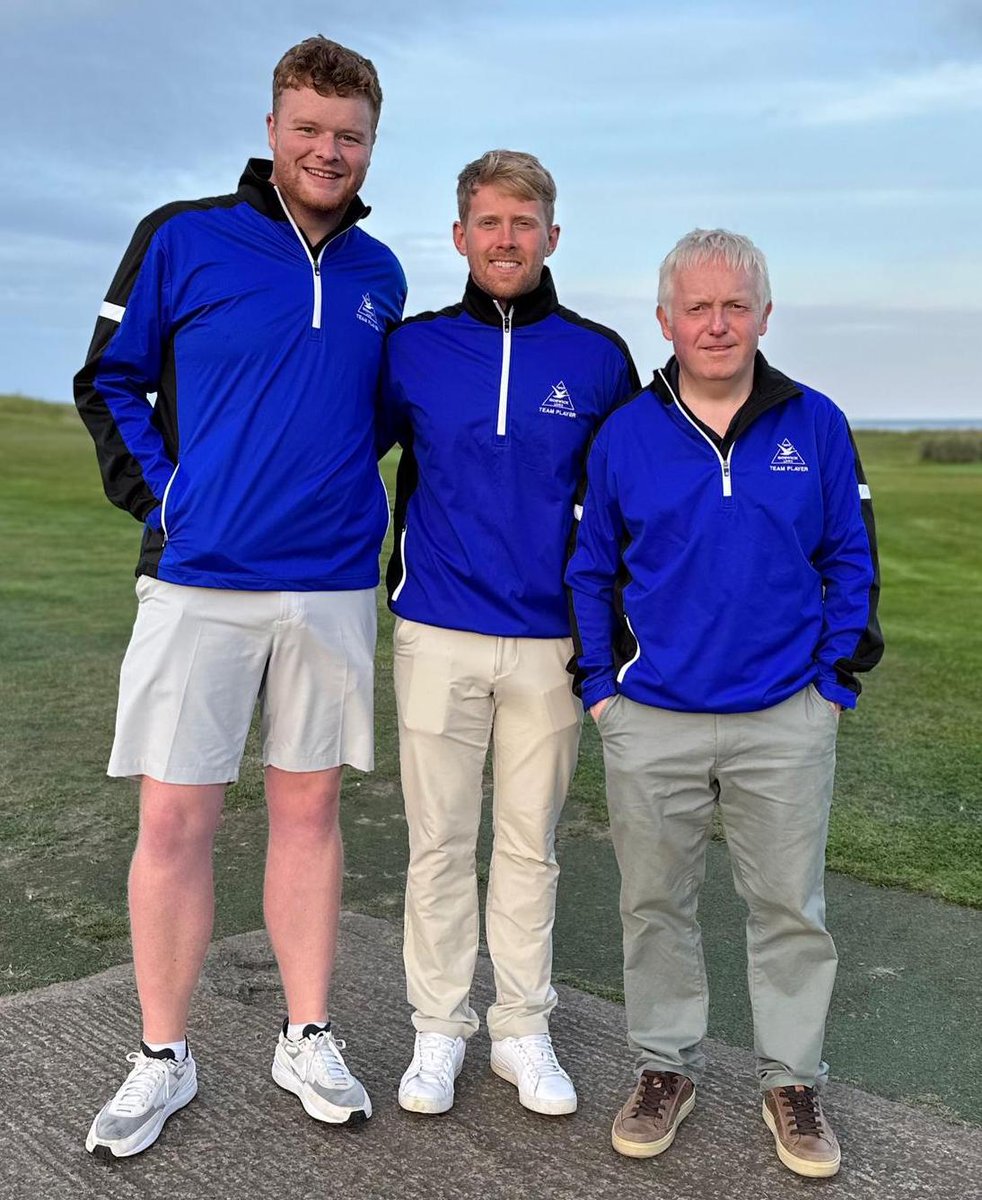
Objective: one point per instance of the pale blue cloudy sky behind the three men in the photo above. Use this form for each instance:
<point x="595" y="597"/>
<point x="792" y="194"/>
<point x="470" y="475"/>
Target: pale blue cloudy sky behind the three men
<point x="845" y="139"/>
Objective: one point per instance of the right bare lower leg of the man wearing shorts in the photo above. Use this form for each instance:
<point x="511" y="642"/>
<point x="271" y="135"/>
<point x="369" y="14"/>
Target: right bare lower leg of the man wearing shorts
<point x="306" y="865"/>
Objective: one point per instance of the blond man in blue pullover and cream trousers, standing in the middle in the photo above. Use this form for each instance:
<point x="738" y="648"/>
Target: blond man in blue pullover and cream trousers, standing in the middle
<point x="494" y="401"/>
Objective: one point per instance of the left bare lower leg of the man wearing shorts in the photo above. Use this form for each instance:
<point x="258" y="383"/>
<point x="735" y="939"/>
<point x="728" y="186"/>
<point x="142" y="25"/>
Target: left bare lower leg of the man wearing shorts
<point x="172" y="901"/>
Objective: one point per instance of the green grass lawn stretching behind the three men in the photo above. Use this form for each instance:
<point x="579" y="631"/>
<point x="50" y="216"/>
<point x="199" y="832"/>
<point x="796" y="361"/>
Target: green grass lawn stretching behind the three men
<point x="909" y="802"/>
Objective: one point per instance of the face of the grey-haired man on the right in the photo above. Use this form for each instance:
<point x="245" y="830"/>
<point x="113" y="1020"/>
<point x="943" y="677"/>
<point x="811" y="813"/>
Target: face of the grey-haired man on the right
<point x="715" y="321"/>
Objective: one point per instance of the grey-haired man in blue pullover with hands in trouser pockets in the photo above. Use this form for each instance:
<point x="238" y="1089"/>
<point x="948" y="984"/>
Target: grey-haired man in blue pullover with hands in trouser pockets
<point x="724" y="587"/>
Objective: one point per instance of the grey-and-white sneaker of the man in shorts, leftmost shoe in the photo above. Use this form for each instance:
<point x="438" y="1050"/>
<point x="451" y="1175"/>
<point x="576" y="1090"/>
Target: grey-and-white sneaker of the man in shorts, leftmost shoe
<point x="135" y="1117"/>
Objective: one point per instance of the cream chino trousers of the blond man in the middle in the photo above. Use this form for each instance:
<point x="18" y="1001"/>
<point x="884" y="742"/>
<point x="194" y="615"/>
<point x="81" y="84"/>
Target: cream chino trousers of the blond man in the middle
<point x="457" y="693"/>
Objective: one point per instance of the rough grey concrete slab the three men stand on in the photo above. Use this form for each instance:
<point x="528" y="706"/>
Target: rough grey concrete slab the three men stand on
<point x="62" y="1053"/>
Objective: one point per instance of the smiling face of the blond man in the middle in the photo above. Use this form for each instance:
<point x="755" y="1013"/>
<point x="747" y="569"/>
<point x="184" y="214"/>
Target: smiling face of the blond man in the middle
<point x="506" y="241"/>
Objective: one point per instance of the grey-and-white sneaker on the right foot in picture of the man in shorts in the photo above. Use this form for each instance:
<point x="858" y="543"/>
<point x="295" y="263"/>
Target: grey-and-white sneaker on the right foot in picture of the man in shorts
<point x="313" y="1069"/>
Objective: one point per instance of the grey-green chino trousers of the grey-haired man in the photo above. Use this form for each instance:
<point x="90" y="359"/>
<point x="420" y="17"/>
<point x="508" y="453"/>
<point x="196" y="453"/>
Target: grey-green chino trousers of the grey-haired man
<point x="771" y="772"/>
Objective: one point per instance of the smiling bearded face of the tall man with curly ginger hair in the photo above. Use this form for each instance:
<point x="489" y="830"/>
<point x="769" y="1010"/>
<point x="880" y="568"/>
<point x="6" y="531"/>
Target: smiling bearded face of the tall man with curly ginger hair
<point x="322" y="147"/>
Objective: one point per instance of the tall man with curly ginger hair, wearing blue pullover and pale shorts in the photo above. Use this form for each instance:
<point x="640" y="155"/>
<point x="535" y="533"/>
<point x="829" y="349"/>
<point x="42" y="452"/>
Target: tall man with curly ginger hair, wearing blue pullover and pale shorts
<point x="258" y="320"/>
